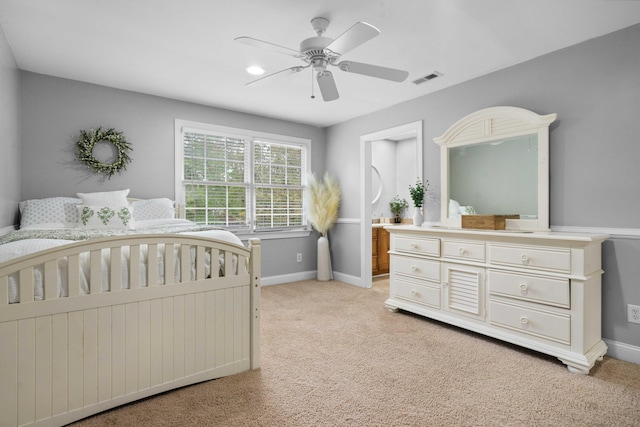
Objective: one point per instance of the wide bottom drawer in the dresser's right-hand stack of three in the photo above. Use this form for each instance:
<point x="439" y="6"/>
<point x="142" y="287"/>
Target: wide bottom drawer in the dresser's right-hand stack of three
<point x="553" y="326"/>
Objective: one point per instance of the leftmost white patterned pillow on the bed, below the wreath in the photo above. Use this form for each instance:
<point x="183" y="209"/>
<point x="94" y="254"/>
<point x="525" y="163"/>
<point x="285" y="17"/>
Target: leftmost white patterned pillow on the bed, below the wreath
<point x="36" y="213"/>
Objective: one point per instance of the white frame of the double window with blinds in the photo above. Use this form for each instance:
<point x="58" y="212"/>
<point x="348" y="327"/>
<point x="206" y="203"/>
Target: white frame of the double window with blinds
<point x="249" y="135"/>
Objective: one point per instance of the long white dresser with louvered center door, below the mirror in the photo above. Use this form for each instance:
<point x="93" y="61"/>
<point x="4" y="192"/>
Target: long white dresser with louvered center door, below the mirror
<point x="539" y="290"/>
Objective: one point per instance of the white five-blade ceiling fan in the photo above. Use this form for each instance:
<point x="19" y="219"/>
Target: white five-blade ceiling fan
<point x="319" y="52"/>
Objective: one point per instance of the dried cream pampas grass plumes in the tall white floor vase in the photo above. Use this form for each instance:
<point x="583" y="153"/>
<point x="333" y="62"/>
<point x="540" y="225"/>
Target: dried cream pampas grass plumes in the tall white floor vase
<point x="324" y="202"/>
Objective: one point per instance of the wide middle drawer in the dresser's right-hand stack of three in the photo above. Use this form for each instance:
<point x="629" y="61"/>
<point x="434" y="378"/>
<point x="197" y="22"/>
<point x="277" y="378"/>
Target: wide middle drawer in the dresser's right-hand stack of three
<point x="530" y="288"/>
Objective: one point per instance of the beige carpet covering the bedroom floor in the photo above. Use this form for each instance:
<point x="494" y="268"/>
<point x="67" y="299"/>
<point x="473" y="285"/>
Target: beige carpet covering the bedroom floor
<point x="332" y="355"/>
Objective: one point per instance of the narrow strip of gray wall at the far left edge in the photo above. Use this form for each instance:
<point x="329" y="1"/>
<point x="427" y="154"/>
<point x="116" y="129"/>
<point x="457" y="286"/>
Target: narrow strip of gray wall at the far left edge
<point x="9" y="129"/>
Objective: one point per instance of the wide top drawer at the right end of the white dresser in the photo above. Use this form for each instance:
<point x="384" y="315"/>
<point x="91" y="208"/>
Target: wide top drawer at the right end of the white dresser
<point x="552" y="259"/>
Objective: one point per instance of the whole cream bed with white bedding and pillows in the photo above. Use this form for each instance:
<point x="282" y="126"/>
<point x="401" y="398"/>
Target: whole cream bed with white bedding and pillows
<point x="102" y="315"/>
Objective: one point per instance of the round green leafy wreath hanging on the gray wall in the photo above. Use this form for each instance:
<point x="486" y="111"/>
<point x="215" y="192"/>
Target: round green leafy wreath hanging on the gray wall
<point x="87" y="141"/>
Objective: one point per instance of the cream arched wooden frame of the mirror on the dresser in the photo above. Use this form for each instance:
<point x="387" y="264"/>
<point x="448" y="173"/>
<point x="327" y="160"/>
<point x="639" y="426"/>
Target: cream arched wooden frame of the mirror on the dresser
<point x="491" y="124"/>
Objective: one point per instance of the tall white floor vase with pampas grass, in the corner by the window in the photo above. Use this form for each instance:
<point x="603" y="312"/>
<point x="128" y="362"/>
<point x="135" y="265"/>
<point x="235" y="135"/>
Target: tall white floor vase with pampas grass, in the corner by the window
<point x="324" y="202"/>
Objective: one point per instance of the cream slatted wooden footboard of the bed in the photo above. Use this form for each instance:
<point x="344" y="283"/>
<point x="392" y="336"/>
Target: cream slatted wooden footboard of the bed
<point x="63" y="359"/>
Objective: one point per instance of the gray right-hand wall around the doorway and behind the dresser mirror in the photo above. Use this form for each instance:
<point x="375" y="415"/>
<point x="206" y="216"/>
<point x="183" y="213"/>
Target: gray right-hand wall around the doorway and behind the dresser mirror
<point x="594" y="151"/>
